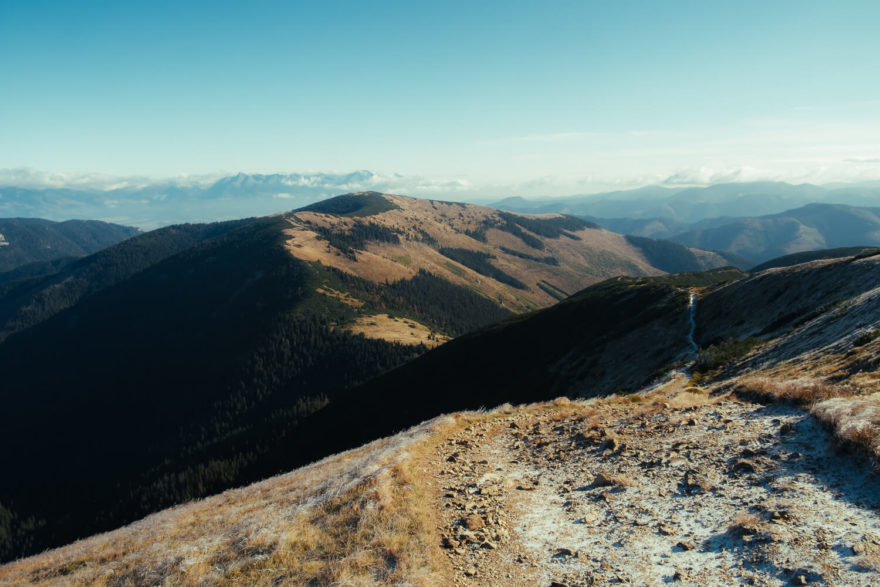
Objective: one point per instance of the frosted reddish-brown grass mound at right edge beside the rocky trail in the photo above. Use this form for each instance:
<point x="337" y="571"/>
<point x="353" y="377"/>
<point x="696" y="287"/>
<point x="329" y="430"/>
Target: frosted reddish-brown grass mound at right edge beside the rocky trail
<point x="854" y="420"/>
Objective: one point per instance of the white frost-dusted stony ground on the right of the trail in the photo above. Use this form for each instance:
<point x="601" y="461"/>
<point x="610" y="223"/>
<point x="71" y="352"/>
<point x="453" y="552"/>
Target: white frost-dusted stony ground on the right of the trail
<point x="731" y="493"/>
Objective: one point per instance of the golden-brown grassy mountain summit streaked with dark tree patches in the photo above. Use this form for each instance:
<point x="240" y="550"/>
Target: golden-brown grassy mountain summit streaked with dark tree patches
<point x="525" y="262"/>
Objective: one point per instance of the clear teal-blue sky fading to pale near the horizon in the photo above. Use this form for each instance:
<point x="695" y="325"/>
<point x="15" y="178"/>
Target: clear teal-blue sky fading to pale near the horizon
<point x="532" y="98"/>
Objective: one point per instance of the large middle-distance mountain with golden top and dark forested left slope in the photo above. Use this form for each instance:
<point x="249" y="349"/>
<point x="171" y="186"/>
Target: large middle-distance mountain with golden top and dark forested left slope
<point x="186" y="360"/>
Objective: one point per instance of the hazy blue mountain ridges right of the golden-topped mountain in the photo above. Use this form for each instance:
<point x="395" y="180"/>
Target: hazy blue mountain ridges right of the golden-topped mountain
<point x="791" y="219"/>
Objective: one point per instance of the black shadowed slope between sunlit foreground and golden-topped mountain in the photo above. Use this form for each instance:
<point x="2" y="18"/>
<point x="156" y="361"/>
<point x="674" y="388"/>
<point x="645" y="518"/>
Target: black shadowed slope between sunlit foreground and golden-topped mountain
<point x="614" y="336"/>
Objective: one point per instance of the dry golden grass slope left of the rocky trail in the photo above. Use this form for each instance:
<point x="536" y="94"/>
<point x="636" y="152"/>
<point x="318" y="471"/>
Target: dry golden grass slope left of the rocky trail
<point x="358" y="518"/>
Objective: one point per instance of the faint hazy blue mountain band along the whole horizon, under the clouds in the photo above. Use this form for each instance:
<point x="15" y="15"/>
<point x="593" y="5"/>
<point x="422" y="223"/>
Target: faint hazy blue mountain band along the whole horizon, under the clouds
<point x="150" y="205"/>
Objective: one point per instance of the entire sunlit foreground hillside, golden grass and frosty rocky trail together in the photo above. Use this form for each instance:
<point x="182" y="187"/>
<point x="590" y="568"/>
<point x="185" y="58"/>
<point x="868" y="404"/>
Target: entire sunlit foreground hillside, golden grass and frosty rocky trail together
<point x="639" y="489"/>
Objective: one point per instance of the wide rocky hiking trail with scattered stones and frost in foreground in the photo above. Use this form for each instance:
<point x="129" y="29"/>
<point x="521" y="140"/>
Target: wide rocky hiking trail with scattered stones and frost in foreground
<point x="673" y="486"/>
